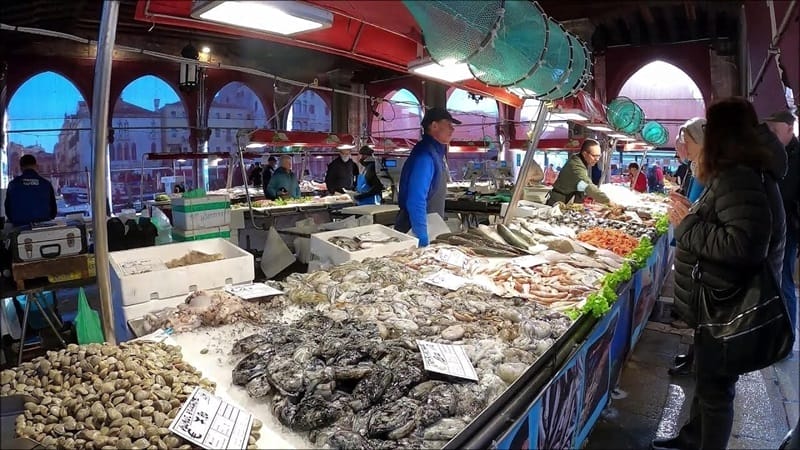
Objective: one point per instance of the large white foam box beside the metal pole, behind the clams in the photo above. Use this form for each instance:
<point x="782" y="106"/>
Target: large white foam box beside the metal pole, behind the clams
<point x="131" y="288"/>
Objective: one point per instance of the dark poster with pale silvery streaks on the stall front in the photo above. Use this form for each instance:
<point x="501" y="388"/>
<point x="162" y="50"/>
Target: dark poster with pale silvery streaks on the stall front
<point x="561" y="407"/>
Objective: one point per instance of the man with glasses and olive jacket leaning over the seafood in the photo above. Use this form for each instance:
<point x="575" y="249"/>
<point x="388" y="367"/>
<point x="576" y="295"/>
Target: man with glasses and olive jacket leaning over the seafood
<point x="574" y="181"/>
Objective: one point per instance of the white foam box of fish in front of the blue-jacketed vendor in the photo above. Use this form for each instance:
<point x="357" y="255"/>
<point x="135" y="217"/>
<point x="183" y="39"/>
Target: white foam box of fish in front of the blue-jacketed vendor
<point x="323" y="250"/>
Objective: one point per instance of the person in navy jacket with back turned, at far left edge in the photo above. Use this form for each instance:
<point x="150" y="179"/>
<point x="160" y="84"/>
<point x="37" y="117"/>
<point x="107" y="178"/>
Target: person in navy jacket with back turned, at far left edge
<point x="30" y="197"/>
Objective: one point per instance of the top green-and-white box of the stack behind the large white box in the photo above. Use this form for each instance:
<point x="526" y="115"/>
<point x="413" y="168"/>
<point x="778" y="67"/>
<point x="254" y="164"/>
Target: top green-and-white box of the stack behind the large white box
<point x="198" y="213"/>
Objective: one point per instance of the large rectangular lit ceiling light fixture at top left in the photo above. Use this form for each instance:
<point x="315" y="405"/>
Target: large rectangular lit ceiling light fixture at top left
<point x="271" y="16"/>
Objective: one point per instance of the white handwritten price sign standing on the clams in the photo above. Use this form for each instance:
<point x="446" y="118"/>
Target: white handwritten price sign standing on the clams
<point x="210" y="422"/>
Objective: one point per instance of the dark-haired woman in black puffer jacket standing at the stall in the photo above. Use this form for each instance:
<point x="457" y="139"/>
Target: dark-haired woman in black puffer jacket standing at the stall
<point x="736" y="226"/>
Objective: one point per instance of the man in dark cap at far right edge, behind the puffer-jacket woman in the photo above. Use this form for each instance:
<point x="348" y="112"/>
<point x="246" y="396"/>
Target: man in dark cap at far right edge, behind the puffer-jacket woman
<point x="781" y="124"/>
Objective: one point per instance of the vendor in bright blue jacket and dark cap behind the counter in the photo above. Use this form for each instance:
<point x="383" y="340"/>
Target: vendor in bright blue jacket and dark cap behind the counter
<point x="423" y="181"/>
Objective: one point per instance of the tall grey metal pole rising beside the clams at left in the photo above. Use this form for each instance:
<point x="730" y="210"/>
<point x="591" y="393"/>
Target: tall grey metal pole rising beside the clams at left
<point x="101" y="92"/>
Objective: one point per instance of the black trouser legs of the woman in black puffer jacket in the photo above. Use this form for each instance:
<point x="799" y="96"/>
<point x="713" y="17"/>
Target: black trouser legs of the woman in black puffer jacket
<point x="711" y="414"/>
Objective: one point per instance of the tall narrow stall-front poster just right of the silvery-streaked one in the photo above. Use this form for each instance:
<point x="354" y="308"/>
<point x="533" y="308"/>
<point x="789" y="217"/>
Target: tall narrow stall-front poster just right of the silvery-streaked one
<point x="597" y="366"/>
